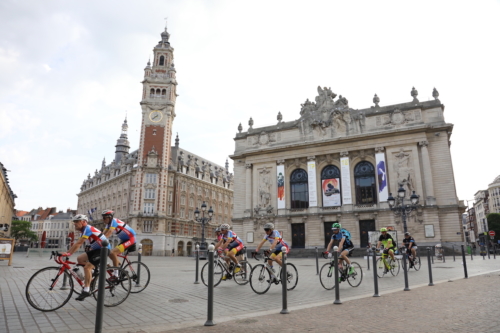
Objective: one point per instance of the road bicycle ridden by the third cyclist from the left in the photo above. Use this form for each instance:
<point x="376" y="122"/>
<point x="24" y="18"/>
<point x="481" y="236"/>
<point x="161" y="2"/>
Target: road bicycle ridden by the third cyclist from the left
<point x="221" y="268"/>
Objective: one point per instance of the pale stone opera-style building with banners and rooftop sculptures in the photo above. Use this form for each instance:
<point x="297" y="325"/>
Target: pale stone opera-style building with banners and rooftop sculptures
<point x="336" y="163"/>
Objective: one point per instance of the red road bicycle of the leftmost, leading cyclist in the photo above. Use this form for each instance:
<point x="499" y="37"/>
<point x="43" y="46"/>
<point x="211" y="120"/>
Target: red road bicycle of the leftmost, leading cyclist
<point x="51" y="288"/>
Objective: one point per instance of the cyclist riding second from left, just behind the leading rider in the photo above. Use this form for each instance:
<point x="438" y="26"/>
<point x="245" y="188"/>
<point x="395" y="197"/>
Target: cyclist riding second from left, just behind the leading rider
<point x="123" y="231"/>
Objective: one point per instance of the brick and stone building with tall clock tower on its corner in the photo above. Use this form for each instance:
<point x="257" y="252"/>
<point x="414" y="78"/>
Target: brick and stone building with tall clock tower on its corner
<point x="157" y="187"/>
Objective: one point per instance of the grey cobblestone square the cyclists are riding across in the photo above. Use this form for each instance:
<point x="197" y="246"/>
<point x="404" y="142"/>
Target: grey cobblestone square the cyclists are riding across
<point x="172" y="301"/>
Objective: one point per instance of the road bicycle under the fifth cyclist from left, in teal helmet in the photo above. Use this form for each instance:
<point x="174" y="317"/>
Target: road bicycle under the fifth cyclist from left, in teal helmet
<point x="327" y="273"/>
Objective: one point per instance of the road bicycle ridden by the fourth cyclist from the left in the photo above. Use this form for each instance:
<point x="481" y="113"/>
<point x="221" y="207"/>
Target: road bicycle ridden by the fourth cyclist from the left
<point x="260" y="276"/>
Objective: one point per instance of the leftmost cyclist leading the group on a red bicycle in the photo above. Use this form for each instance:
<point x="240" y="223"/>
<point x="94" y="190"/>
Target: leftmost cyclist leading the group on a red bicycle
<point x="89" y="259"/>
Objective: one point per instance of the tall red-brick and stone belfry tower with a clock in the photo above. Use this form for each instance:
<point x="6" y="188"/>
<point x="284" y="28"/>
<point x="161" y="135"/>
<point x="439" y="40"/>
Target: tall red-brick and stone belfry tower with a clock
<point x="158" y="112"/>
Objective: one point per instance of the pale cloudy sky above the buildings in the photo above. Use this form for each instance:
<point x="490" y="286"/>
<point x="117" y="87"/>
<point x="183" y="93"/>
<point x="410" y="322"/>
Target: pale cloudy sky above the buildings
<point x="70" y="72"/>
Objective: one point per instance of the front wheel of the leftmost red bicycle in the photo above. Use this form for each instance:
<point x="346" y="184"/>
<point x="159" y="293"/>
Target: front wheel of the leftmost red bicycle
<point x="46" y="291"/>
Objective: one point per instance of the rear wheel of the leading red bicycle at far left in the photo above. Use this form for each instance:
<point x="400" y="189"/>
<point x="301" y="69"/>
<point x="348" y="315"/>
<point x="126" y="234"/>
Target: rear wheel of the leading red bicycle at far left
<point x="116" y="289"/>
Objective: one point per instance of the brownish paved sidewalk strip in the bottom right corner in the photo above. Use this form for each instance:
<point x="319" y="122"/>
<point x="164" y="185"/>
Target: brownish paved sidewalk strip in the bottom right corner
<point x="461" y="305"/>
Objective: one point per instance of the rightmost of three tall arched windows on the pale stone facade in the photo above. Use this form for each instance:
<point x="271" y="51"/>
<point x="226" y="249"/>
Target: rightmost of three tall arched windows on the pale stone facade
<point x="364" y="178"/>
